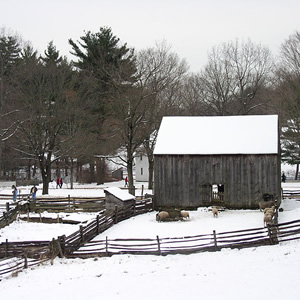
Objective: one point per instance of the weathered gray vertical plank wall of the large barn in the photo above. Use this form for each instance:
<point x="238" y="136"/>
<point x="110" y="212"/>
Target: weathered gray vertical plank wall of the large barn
<point x="246" y="178"/>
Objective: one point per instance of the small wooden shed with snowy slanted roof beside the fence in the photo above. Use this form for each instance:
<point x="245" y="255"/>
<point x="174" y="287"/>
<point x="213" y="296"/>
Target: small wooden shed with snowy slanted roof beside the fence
<point x="115" y="196"/>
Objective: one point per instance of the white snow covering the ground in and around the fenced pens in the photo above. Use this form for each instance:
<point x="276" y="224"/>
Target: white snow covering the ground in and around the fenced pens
<point x="271" y="272"/>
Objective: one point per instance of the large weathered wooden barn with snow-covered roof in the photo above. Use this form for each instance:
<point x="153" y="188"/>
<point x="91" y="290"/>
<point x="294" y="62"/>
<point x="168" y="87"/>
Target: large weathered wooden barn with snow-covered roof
<point x="228" y="160"/>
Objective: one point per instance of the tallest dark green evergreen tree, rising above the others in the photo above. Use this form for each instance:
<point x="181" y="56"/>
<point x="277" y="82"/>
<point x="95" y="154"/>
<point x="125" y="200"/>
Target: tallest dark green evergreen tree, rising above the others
<point x="104" y="68"/>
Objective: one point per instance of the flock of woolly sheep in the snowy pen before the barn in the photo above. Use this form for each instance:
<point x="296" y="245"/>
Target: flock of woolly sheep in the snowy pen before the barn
<point x="268" y="207"/>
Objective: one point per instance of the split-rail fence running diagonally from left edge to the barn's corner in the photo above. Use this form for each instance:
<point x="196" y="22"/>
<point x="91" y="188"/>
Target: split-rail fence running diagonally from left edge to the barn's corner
<point x="15" y="256"/>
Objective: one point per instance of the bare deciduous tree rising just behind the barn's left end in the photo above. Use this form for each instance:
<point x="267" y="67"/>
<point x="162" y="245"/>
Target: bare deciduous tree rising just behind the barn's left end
<point x="160" y="74"/>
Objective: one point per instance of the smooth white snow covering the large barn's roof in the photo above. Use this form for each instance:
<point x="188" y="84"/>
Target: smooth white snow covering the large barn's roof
<point x="218" y="135"/>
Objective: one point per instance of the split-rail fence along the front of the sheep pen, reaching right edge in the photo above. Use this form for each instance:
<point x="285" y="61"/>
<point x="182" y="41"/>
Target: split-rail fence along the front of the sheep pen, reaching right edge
<point x="270" y="235"/>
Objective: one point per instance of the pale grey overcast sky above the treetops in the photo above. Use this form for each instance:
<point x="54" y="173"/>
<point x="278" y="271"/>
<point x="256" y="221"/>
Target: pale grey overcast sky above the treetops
<point x="190" y="27"/>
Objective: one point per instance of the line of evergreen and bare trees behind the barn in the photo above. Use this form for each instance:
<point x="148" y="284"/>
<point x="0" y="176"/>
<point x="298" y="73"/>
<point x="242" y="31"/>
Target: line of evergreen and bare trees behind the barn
<point x="110" y="99"/>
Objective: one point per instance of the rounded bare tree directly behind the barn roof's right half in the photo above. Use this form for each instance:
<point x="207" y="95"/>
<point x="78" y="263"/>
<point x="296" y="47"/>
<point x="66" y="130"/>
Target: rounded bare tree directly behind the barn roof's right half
<point x="235" y="74"/>
